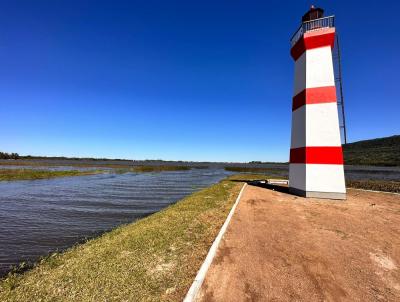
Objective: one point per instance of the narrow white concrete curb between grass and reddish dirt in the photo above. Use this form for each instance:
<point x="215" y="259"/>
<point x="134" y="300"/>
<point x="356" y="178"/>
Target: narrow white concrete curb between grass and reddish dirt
<point x="201" y="274"/>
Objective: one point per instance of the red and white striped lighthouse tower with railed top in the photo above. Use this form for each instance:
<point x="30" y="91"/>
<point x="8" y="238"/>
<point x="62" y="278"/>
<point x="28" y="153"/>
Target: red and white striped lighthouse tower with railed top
<point x="316" y="158"/>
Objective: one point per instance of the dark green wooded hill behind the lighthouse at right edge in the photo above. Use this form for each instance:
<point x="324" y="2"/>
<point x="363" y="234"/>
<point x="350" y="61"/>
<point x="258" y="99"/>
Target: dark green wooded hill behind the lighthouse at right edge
<point x="378" y="152"/>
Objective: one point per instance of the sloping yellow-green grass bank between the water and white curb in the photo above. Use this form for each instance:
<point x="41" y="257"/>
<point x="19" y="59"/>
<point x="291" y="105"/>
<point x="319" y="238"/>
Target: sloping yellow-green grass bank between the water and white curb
<point x="154" y="259"/>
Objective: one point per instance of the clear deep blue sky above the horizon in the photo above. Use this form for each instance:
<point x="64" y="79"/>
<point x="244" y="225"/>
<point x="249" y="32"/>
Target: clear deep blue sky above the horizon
<point x="180" y="80"/>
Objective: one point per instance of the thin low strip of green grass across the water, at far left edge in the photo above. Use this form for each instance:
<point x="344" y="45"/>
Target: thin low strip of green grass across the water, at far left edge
<point x="30" y="174"/>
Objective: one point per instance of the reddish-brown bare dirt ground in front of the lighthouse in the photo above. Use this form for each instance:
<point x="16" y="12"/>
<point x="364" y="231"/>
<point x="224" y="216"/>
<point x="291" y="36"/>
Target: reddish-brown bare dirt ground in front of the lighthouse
<point x="279" y="247"/>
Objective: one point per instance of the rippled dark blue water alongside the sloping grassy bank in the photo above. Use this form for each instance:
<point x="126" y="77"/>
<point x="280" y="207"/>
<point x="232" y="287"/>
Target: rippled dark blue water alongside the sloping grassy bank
<point x="41" y="216"/>
